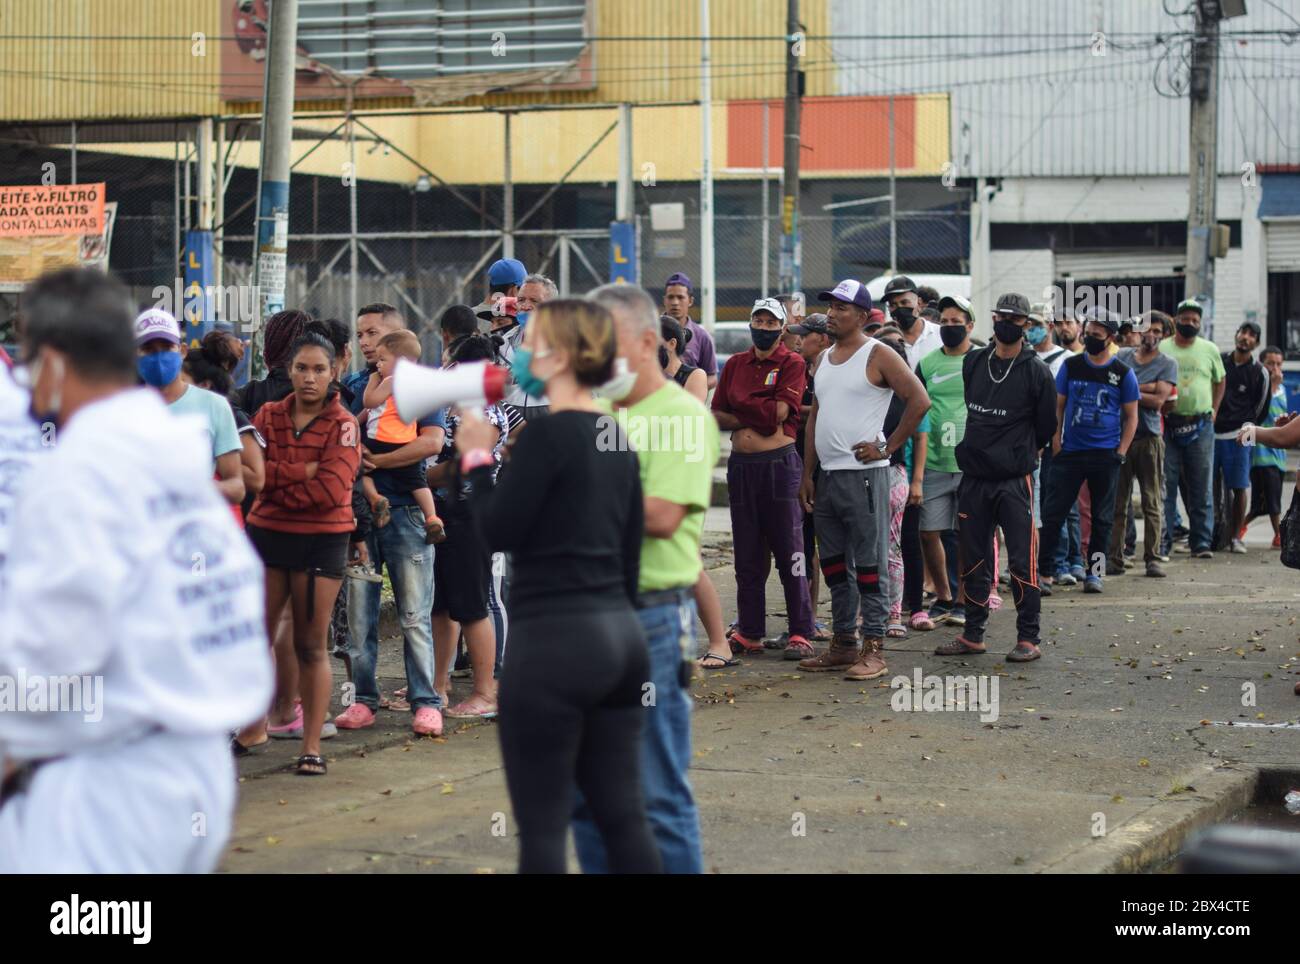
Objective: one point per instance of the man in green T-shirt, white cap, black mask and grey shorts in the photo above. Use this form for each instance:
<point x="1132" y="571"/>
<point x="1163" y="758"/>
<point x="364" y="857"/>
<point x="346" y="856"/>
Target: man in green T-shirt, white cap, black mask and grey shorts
<point x="941" y="372"/>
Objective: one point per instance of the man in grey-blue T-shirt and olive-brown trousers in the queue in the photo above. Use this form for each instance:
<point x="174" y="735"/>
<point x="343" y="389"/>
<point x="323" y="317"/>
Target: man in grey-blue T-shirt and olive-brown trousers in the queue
<point x="1156" y="375"/>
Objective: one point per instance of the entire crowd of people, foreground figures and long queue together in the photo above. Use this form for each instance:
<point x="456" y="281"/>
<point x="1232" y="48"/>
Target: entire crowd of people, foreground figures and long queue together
<point x="886" y="453"/>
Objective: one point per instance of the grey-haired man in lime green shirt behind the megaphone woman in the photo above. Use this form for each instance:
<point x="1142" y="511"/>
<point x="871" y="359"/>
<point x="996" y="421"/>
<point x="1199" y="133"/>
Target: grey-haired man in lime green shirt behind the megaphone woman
<point x="678" y="445"/>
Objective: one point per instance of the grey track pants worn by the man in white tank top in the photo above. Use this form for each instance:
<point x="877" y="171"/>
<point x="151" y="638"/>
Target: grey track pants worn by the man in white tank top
<point x="852" y="516"/>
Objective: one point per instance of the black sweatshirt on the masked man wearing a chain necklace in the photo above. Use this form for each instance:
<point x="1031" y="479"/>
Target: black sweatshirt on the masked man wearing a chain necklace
<point x="1011" y="414"/>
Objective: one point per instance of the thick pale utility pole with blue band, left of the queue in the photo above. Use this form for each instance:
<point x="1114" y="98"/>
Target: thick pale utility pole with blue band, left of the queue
<point x="278" y="138"/>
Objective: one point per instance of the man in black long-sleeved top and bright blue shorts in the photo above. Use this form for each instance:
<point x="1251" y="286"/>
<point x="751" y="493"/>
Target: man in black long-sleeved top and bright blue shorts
<point x="1246" y="400"/>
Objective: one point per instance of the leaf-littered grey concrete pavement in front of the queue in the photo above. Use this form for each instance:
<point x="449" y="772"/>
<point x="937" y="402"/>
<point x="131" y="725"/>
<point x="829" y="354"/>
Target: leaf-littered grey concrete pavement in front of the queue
<point x="1124" y="723"/>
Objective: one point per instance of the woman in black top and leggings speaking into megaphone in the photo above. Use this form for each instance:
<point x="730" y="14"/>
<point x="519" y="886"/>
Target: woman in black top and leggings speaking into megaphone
<point x="569" y="509"/>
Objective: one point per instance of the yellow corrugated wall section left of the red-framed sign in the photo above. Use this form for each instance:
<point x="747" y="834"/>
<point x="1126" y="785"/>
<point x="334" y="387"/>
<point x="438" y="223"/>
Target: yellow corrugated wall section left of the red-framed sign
<point x="51" y="70"/>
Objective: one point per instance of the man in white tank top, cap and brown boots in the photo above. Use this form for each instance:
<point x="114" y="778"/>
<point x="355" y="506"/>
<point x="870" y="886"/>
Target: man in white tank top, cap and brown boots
<point x="851" y="498"/>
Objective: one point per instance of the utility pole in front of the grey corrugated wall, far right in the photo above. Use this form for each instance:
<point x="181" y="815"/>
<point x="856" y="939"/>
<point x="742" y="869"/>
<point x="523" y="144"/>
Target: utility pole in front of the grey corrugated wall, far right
<point x="1203" y="157"/>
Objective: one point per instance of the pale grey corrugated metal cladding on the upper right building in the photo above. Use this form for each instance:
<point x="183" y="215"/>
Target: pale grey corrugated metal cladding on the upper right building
<point x="1032" y="98"/>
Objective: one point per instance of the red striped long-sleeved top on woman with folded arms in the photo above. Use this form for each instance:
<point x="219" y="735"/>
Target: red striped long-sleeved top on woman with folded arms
<point x="291" y="502"/>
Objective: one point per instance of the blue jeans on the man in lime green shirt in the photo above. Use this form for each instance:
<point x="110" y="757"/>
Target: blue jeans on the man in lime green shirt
<point x="665" y="750"/>
